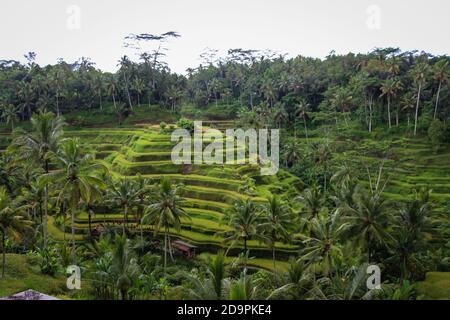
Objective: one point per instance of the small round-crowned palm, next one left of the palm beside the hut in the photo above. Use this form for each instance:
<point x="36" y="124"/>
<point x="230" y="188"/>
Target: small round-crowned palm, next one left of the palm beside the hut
<point x="125" y="194"/>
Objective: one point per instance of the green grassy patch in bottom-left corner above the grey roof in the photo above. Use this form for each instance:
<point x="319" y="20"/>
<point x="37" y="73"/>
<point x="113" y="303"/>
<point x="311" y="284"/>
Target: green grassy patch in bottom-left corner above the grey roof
<point x="23" y="273"/>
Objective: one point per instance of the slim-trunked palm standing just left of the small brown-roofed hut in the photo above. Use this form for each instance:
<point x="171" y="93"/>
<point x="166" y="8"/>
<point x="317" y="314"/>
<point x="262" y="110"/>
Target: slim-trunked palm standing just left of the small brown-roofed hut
<point x="165" y="212"/>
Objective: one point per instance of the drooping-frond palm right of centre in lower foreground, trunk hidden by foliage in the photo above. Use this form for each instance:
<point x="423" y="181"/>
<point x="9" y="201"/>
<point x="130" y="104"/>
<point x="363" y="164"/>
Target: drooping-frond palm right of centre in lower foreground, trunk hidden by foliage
<point x="322" y="245"/>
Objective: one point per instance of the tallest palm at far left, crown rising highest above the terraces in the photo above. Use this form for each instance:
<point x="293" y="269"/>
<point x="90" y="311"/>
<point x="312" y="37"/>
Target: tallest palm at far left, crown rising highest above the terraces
<point x="39" y="145"/>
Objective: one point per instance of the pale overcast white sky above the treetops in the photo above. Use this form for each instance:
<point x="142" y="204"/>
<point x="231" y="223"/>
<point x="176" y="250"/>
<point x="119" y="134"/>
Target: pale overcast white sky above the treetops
<point x="311" y="28"/>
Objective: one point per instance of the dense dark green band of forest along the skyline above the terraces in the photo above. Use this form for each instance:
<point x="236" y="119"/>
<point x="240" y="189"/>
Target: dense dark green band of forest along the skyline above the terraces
<point x="385" y="86"/>
